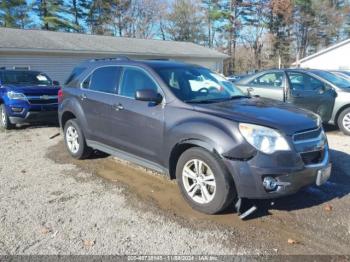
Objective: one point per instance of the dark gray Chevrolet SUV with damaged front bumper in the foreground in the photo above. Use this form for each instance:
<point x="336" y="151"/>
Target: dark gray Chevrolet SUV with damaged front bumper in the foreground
<point x="195" y="126"/>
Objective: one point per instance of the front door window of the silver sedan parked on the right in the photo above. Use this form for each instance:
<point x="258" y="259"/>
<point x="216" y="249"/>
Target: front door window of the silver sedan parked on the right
<point x="304" y="82"/>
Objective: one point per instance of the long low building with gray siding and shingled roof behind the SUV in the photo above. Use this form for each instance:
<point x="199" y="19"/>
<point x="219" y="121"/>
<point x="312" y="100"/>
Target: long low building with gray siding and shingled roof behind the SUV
<point x="56" y="53"/>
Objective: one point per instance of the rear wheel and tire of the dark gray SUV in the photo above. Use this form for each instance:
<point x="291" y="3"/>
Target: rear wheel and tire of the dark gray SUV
<point x="75" y="140"/>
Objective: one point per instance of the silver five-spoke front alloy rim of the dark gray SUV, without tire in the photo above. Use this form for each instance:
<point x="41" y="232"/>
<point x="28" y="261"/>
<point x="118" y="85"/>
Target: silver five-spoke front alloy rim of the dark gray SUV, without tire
<point x="199" y="181"/>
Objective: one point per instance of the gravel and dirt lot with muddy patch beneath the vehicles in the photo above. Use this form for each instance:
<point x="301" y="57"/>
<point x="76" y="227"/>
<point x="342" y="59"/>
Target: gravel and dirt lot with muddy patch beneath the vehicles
<point x="51" y="204"/>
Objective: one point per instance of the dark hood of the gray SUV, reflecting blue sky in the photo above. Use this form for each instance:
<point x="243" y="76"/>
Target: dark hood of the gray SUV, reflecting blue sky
<point x="282" y="116"/>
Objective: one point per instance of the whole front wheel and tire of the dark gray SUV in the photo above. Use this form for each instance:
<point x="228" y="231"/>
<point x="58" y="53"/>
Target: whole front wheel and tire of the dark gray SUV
<point x="204" y="182"/>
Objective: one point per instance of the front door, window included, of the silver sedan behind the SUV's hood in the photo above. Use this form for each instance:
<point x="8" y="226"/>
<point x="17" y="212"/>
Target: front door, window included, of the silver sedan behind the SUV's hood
<point x="310" y="93"/>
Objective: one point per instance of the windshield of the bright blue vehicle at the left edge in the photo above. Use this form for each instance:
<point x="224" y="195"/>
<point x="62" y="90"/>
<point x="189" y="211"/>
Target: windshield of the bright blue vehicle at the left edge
<point x="25" y="78"/>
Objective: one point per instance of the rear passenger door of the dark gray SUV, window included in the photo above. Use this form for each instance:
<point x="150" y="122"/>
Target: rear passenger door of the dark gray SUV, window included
<point x="98" y="99"/>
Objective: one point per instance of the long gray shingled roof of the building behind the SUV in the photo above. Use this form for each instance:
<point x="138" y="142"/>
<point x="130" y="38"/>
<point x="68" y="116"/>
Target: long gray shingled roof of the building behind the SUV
<point x="61" y="42"/>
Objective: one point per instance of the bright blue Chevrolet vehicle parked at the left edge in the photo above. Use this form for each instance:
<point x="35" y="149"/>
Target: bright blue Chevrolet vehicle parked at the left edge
<point x="26" y="97"/>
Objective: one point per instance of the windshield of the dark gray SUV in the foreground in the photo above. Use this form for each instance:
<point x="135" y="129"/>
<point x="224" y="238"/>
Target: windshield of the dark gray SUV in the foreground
<point x="193" y="84"/>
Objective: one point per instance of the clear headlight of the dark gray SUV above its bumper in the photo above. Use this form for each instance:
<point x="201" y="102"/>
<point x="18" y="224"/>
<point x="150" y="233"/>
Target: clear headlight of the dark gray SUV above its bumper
<point x="264" y="139"/>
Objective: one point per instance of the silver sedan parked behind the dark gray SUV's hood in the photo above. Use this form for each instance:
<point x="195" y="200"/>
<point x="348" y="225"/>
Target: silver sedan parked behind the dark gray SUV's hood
<point x="319" y="91"/>
